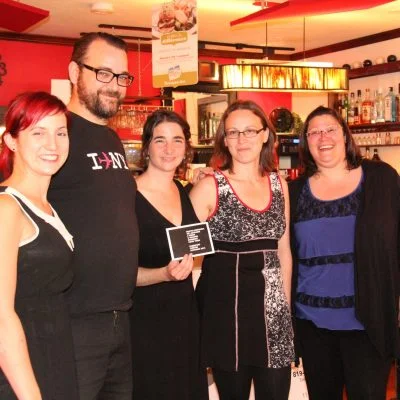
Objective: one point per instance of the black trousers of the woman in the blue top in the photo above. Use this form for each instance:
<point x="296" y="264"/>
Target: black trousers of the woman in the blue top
<point x="334" y="359"/>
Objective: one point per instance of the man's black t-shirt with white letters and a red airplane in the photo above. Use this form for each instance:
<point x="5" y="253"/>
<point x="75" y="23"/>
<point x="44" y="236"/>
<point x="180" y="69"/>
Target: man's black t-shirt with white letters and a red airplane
<point x="94" y="194"/>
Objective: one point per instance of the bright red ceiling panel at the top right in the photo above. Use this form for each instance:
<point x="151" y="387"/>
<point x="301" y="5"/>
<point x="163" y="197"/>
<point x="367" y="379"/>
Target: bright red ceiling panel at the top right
<point x="301" y="8"/>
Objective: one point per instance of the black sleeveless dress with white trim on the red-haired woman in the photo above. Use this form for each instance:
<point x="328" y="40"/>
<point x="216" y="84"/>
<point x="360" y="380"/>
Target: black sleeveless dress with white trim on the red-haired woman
<point x="43" y="277"/>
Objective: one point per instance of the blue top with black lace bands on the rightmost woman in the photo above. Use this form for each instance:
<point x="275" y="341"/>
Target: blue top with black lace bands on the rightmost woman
<point x="324" y="234"/>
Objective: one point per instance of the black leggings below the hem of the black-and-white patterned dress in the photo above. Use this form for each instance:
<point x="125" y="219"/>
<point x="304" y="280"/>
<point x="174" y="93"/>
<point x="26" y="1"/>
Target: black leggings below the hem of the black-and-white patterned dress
<point x="269" y="383"/>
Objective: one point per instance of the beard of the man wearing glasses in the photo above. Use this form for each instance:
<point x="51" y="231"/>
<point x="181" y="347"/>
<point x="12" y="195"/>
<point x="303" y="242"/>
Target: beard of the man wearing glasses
<point x="95" y="104"/>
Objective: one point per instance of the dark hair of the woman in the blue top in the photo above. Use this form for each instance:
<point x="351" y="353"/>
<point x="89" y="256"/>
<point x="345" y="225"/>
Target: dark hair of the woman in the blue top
<point x="353" y="154"/>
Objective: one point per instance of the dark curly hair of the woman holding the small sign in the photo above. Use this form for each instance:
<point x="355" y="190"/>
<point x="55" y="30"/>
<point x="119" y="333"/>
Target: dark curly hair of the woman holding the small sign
<point x="155" y="119"/>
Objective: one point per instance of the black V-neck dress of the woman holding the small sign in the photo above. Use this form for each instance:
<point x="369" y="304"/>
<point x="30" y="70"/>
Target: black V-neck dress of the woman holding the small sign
<point x="164" y="318"/>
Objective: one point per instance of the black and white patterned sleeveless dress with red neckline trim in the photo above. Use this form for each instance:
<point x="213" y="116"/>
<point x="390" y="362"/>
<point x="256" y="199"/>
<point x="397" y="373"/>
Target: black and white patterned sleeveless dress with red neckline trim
<point x="244" y="312"/>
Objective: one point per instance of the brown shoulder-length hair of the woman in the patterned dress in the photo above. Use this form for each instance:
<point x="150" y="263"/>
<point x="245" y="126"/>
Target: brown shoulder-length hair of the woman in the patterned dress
<point x="222" y="157"/>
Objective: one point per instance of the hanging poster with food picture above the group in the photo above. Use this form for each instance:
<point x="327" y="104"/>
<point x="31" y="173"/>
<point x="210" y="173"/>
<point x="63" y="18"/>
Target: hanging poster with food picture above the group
<point x="175" y="43"/>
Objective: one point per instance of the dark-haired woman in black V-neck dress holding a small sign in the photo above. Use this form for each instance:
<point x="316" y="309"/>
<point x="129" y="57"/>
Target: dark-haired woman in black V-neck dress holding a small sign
<point x="164" y="316"/>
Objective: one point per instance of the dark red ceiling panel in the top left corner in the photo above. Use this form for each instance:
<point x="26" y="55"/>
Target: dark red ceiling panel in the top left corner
<point x="18" y="17"/>
